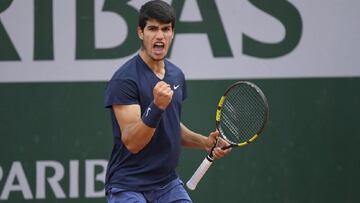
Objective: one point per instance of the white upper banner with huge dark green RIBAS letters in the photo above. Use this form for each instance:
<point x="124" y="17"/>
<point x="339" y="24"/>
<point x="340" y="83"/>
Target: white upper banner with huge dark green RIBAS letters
<point x="31" y="59"/>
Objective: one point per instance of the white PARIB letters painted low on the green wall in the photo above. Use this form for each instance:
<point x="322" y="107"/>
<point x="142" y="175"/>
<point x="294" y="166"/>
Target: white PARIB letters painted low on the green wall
<point x="16" y="180"/>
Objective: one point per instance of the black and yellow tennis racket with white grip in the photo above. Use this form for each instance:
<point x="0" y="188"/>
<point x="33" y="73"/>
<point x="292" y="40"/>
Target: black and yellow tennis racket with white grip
<point x="241" y="116"/>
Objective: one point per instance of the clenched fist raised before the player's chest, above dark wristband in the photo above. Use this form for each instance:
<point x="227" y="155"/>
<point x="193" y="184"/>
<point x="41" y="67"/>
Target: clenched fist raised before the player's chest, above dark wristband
<point x="162" y="94"/>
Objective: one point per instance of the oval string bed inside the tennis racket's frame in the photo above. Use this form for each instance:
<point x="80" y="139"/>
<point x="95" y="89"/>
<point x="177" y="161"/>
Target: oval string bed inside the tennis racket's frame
<point x="243" y="114"/>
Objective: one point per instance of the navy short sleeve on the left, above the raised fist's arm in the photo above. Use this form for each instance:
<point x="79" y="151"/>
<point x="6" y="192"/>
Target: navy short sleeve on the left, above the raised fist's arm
<point x="121" y="91"/>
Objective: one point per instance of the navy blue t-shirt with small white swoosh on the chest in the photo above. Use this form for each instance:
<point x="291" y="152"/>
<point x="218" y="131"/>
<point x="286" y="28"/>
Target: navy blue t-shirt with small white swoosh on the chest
<point x="154" y="166"/>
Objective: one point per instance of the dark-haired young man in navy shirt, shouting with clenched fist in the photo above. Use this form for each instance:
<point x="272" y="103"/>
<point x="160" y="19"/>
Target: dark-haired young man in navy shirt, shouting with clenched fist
<point x="144" y="97"/>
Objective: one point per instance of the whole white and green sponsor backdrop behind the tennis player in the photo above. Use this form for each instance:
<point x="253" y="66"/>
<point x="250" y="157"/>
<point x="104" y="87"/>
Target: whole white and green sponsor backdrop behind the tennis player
<point x="56" y="56"/>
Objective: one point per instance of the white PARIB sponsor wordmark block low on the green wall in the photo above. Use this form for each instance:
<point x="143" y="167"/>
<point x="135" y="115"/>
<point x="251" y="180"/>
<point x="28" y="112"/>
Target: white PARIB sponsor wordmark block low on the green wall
<point x="49" y="179"/>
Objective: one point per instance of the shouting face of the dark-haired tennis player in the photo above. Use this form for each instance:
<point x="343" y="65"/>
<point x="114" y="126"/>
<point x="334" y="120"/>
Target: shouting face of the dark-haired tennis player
<point x="156" y="38"/>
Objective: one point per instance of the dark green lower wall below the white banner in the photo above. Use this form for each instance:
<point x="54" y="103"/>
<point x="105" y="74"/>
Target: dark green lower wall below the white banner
<point x="308" y="153"/>
